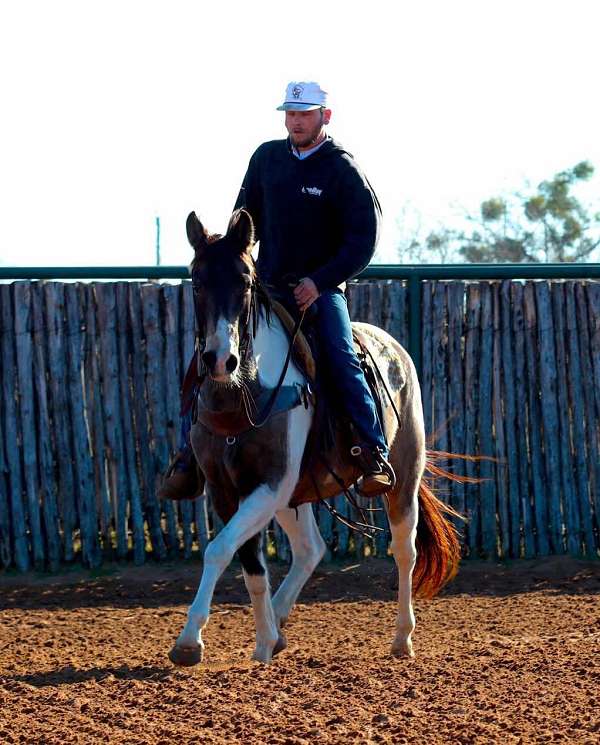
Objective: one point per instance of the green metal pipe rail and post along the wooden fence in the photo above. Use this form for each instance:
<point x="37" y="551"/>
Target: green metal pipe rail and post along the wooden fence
<point x="413" y="274"/>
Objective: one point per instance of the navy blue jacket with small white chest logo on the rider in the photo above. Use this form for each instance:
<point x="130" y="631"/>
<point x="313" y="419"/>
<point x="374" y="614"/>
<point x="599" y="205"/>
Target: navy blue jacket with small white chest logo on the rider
<point x="316" y="217"/>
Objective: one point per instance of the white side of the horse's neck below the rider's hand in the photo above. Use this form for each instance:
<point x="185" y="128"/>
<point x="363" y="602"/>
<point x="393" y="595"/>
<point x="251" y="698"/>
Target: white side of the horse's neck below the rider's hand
<point x="270" y="347"/>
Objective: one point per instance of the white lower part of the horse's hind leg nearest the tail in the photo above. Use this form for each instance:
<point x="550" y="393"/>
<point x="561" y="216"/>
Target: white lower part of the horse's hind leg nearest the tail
<point x="403" y="547"/>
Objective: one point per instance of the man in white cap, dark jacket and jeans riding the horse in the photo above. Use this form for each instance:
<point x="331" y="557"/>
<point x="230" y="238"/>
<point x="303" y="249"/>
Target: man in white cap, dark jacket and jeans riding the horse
<point x="317" y="220"/>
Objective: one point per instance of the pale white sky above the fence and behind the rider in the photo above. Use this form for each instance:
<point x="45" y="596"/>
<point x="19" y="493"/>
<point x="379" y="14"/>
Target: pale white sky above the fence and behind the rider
<point x="115" y="112"/>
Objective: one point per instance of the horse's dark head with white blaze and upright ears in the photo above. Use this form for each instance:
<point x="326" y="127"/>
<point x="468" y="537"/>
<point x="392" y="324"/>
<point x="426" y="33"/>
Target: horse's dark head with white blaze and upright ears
<point x="223" y="278"/>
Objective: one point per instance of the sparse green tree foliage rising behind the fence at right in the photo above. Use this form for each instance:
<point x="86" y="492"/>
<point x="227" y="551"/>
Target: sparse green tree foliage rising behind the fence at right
<point x="548" y="224"/>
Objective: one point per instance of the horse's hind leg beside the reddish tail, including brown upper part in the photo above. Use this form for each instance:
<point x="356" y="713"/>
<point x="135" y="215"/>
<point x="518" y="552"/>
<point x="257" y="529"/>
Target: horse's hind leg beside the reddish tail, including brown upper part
<point x="402" y="508"/>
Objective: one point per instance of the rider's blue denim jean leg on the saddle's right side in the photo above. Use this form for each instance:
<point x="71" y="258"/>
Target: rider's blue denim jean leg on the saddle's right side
<point x="335" y="340"/>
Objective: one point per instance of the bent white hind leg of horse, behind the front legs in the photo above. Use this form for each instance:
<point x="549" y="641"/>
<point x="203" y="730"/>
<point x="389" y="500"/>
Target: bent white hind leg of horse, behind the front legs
<point x="308" y="548"/>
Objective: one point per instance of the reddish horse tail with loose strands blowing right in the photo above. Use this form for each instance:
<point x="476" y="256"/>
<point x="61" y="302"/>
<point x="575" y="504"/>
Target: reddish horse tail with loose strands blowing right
<point x="438" y="547"/>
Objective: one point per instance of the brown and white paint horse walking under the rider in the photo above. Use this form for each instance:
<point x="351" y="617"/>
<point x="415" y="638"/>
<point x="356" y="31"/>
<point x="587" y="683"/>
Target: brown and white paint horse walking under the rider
<point x="251" y="477"/>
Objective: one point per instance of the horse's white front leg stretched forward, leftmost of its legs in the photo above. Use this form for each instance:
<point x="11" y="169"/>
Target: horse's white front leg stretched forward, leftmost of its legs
<point x="252" y="516"/>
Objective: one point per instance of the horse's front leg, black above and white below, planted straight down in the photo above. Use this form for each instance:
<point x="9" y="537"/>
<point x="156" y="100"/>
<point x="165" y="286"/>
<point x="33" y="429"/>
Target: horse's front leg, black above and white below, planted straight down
<point x="256" y="577"/>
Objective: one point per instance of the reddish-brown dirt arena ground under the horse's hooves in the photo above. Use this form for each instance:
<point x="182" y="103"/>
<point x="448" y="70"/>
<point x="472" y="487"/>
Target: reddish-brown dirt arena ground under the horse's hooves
<point x="507" y="654"/>
